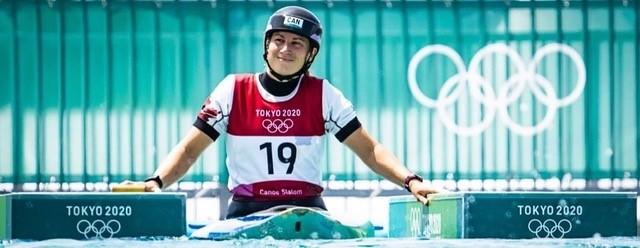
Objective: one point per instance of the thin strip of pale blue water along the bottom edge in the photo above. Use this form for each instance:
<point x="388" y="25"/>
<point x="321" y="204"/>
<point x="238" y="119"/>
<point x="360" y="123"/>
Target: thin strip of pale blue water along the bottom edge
<point x="369" y="242"/>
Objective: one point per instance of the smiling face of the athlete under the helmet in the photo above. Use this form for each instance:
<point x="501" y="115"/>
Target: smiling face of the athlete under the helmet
<point x="287" y="52"/>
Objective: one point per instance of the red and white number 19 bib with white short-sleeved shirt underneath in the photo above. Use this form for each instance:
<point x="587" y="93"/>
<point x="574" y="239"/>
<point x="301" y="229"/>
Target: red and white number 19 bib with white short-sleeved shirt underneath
<point x="274" y="144"/>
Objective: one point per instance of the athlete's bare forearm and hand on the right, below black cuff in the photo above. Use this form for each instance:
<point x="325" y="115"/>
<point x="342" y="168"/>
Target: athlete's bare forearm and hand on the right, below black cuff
<point x="382" y="161"/>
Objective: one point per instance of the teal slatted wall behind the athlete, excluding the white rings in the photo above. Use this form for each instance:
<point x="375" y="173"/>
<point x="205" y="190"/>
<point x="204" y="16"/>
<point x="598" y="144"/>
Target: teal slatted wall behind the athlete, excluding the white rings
<point x="101" y="92"/>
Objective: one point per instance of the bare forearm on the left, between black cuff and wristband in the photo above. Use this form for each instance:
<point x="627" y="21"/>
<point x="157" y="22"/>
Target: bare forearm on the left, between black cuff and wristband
<point x="180" y="159"/>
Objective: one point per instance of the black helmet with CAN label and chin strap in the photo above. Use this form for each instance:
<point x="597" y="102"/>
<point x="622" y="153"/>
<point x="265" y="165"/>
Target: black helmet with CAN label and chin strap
<point x="297" y="20"/>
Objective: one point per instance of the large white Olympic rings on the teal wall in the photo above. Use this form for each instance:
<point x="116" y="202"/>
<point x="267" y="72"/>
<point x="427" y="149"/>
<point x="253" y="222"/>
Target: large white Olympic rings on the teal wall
<point x="526" y="76"/>
